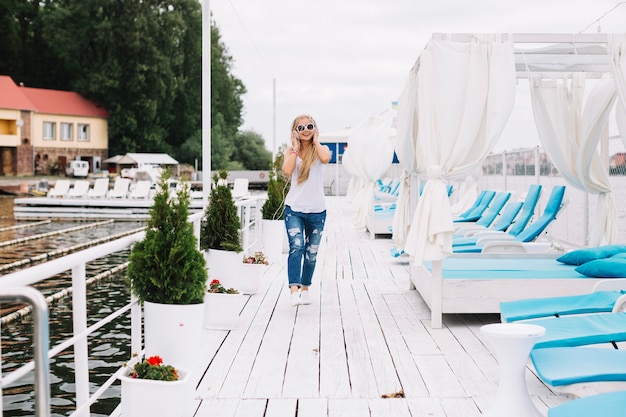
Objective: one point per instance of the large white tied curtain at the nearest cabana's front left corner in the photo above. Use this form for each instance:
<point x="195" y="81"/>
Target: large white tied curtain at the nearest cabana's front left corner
<point x="465" y="96"/>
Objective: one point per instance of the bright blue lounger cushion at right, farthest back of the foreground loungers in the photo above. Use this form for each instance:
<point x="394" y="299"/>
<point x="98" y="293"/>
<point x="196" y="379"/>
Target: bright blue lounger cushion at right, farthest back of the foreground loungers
<point x="594" y="302"/>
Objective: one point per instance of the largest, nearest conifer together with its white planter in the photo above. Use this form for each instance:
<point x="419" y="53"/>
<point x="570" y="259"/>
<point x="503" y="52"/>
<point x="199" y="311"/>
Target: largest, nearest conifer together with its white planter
<point x="167" y="273"/>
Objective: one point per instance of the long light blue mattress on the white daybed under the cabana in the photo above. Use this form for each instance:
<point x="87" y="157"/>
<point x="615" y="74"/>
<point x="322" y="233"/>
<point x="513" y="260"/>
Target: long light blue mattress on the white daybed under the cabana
<point x="503" y="268"/>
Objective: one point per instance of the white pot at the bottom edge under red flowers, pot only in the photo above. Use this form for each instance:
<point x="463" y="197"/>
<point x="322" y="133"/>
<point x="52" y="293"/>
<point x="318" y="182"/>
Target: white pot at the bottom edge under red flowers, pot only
<point x="144" y="397"/>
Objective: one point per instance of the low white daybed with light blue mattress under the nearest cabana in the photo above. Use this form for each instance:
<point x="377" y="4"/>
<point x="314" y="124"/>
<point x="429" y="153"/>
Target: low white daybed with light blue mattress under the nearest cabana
<point x="478" y="283"/>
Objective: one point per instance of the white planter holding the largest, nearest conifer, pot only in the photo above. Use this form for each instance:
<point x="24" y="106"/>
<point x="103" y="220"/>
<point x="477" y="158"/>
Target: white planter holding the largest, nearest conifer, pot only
<point x="173" y="332"/>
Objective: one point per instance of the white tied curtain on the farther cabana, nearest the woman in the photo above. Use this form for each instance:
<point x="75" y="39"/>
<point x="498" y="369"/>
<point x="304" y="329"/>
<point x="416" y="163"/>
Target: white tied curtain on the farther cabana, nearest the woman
<point x="370" y="154"/>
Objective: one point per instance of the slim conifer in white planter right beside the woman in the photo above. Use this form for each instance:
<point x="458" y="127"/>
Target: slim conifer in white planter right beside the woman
<point x="273" y="209"/>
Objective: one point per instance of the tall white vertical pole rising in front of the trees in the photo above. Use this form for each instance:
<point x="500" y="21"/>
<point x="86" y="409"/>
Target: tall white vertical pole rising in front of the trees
<point x="206" y="101"/>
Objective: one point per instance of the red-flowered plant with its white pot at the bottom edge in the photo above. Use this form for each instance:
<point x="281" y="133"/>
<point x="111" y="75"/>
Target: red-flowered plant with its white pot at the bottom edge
<point x="151" y="388"/>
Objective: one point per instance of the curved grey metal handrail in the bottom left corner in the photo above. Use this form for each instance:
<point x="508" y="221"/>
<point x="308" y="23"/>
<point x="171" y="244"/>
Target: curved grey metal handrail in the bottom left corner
<point x="40" y="341"/>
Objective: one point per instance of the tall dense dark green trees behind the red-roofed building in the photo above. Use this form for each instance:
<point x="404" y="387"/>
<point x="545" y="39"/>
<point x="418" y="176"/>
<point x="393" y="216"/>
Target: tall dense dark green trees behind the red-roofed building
<point x="139" y="59"/>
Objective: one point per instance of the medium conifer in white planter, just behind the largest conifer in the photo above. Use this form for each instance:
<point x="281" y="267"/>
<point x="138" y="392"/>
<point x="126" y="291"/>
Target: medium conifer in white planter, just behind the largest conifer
<point x="220" y="233"/>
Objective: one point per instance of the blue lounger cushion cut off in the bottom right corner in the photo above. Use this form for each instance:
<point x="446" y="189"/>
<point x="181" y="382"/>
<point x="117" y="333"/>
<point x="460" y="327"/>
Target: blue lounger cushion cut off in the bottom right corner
<point x="609" y="404"/>
